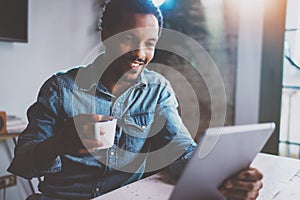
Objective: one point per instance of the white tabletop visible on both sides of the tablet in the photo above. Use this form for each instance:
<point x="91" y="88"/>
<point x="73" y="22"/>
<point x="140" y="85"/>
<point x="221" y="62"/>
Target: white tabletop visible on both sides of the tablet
<point x="281" y="182"/>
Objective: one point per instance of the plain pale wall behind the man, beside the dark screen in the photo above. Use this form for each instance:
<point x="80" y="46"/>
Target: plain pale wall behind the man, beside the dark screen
<point x="61" y="35"/>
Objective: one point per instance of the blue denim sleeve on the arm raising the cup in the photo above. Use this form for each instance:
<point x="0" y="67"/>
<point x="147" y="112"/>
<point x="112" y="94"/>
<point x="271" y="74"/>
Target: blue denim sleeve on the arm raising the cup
<point x="43" y="121"/>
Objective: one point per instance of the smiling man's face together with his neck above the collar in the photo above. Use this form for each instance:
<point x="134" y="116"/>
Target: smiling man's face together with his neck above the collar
<point x="133" y="47"/>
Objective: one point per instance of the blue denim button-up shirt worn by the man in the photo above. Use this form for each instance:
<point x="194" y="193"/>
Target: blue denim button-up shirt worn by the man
<point x="150" y="134"/>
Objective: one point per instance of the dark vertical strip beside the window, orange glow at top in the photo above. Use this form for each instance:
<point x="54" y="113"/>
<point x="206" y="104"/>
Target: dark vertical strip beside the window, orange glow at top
<point x="271" y="68"/>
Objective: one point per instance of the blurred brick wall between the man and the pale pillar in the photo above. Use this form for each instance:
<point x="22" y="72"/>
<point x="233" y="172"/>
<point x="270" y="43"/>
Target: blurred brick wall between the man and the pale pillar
<point x="213" y="26"/>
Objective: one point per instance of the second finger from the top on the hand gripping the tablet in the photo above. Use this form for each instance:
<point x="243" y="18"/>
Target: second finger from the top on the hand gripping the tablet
<point x="243" y="185"/>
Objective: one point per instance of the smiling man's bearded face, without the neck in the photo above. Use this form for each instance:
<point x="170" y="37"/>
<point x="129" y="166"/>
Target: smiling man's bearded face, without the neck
<point x="135" y="44"/>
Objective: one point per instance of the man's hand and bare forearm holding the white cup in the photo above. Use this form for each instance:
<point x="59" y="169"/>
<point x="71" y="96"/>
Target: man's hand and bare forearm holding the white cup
<point x="76" y="137"/>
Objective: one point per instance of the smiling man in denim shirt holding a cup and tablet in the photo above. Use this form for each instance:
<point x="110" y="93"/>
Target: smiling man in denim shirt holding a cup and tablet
<point x="58" y="142"/>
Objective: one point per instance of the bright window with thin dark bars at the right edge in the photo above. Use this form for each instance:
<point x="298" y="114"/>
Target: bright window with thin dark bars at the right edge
<point x="289" y="144"/>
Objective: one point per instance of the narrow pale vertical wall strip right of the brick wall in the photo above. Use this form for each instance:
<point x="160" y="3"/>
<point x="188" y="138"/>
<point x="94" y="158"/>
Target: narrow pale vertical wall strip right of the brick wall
<point x="249" y="61"/>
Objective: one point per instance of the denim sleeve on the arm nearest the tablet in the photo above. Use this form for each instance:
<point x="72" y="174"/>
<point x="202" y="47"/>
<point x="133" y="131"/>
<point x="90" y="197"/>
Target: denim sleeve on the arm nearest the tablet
<point x="172" y="145"/>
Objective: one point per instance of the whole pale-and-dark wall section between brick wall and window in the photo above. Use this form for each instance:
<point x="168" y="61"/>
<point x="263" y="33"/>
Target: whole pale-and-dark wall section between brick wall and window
<point x="259" y="69"/>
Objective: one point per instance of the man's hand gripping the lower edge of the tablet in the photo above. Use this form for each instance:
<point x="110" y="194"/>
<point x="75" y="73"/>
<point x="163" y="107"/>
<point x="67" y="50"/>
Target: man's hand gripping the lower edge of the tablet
<point x="244" y="185"/>
